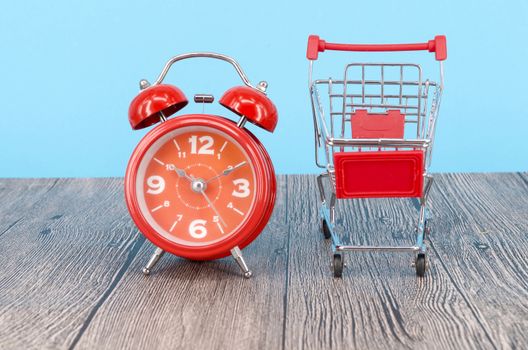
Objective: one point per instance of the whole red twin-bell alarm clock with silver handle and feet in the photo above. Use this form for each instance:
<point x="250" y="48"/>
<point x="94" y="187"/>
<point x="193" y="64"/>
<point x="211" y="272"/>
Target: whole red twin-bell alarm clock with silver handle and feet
<point x="200" y="186"/>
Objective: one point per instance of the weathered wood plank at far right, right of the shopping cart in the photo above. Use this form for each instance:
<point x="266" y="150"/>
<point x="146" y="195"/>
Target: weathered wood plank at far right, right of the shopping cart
<point x="481" y="222"/>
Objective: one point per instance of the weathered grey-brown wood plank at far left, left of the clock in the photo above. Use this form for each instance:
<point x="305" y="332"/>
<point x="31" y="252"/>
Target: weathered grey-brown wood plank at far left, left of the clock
<point x="61" y="259"/>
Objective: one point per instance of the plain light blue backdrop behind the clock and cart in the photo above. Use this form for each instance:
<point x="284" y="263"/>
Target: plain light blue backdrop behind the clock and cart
<point x="69" y="70"/>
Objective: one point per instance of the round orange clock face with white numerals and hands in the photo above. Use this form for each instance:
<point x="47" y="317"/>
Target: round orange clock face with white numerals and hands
<point x="196" y="186"/>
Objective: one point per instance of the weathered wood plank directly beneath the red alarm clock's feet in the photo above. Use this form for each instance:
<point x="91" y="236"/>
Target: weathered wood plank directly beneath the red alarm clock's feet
<point x="206" y="305"/>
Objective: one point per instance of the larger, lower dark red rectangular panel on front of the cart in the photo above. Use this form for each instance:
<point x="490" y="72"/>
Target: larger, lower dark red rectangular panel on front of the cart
<point x="379" y="174"/>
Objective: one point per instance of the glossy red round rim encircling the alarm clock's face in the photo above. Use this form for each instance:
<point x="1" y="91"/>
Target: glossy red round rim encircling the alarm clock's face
<point x="264" y="200"/>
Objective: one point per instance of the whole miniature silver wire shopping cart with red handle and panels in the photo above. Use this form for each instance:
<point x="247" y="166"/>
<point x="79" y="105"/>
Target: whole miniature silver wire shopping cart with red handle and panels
<point x="376" y="137"/>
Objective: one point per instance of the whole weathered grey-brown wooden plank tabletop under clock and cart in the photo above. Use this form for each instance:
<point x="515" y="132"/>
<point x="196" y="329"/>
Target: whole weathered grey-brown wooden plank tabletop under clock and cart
<point x="71" y="262"/>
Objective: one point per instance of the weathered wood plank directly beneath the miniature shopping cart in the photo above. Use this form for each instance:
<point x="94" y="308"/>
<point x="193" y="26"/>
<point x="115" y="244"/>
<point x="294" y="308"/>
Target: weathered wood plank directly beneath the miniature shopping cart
<point x="379" y="303"/>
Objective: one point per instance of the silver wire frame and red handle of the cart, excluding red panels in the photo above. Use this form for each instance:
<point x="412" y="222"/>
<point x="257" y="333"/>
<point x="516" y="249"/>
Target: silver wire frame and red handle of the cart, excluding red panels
<point x="420" y="109"/>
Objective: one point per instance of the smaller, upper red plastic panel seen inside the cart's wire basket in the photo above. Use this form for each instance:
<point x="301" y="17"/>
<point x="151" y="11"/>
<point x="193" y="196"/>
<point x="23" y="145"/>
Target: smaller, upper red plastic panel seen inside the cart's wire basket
<point x="374" y="126"/>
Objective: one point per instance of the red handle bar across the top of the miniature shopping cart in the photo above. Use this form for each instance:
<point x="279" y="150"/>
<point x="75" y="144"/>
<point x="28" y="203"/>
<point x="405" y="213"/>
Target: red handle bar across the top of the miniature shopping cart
<point x="438" y="45"/>
